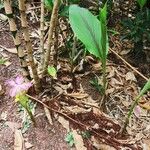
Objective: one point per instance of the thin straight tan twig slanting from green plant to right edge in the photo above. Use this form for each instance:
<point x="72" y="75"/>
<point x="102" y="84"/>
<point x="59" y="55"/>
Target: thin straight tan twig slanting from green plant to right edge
<point x="135" y="70"/>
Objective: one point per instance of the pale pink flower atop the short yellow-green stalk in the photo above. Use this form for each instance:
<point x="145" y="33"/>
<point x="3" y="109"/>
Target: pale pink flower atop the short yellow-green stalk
<point x="17" y="86"/>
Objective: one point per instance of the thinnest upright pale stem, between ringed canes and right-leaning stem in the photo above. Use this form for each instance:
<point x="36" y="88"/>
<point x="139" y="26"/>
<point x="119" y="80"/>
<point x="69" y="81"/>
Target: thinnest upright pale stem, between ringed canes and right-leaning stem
<point x="42" y="33"/>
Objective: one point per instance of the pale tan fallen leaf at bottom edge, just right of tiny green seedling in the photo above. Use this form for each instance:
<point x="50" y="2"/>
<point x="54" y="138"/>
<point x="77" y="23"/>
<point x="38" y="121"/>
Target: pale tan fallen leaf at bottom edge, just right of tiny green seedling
<point x="78" y="141"/>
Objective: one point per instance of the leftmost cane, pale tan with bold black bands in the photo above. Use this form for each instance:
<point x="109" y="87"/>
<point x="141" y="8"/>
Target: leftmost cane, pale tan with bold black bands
<point x="16" y="39"/>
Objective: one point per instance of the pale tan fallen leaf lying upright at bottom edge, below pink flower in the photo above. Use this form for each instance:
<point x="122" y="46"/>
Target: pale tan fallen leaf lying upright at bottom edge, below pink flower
<point x="18" y="141"/>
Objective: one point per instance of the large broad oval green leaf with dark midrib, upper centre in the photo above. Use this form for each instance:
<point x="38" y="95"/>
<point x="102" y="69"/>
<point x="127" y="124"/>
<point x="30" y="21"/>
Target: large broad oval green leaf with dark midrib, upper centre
<point x="87" y="28"/>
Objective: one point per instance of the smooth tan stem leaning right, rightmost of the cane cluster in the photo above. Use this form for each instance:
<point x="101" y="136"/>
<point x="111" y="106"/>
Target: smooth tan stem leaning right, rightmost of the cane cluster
<point x="50" y="35"/>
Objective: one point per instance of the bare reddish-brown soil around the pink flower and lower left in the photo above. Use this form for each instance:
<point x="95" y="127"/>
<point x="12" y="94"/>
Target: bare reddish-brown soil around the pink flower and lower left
<point x="42" y="137"/>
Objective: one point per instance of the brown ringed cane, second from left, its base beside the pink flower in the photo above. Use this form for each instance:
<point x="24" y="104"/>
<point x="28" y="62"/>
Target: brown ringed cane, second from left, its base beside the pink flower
<point x="22" y="9"/>
